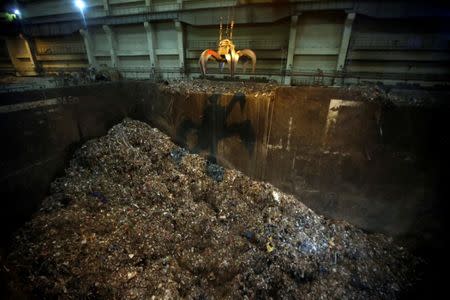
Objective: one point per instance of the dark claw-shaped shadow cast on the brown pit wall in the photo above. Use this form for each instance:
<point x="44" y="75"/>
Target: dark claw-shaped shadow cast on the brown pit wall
<point x="214" y="127"/>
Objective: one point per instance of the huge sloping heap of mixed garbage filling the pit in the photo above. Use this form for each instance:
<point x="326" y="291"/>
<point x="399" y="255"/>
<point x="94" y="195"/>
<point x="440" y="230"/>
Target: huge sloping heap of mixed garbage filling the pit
<point x="136" y="216"/>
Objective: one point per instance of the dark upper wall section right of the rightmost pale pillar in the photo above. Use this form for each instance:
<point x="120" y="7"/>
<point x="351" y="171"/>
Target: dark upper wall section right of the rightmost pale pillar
<point x="395" y="47"/>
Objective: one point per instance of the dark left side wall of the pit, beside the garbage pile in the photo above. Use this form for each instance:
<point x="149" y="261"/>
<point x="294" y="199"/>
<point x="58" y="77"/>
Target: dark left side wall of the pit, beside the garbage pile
<point x="40" y="131"/>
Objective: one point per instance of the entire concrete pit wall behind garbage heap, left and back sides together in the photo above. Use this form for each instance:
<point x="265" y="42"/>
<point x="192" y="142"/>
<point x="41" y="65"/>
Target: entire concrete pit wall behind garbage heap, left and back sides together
<point x="372" y="165"/>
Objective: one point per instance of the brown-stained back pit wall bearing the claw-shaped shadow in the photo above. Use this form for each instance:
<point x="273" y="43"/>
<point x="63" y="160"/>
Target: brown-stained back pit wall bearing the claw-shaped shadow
<point x="373" y="165"/>
